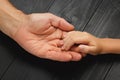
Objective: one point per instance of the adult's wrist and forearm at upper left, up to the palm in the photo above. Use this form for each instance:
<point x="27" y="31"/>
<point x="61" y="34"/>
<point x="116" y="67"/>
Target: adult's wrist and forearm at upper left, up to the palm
<point x="10" y="18"/>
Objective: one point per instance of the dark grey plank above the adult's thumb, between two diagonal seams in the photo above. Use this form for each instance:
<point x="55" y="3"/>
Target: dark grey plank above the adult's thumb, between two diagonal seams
<point x="77" y="12"/>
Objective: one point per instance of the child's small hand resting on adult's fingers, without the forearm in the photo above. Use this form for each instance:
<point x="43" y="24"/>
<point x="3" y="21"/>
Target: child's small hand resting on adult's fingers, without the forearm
<point x="86" y="43"/>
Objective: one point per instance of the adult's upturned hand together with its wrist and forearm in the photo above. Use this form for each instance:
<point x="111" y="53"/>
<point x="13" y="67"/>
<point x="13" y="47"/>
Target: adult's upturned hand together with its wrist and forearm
<point x="39" y="34"/>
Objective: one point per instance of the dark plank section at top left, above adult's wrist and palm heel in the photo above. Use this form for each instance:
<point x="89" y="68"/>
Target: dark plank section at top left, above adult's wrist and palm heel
<point x="32" y="6"/>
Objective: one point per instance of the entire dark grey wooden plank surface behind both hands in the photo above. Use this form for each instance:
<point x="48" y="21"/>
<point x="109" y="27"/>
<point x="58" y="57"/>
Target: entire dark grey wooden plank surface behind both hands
<point x="98" y="17"/>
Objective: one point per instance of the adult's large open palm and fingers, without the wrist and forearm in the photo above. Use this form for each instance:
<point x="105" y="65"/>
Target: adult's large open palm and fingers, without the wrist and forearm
<point x="41" y="35"/>
